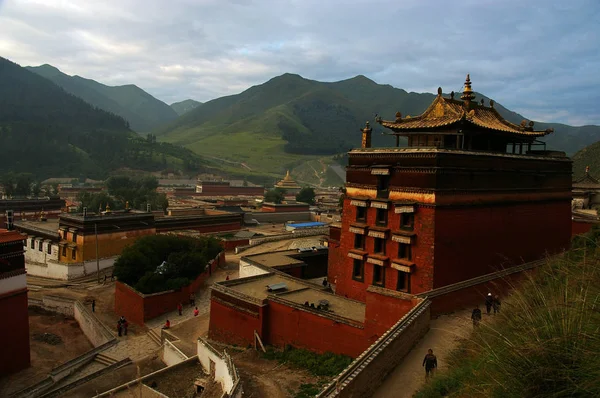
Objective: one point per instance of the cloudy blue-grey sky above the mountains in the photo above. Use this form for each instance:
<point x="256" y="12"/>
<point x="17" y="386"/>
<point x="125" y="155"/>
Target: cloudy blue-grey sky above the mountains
<point x="539" y="58"/>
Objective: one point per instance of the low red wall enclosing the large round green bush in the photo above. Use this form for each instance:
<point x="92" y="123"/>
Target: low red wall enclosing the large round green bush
<point x="139" y="308"/>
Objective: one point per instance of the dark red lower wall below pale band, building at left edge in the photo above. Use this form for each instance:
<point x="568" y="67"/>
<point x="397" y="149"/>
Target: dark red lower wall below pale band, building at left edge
<point x="15" y="333"/>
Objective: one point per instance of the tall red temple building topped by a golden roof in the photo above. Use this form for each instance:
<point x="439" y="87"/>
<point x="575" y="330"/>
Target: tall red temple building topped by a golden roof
<point x="468" y="195"/>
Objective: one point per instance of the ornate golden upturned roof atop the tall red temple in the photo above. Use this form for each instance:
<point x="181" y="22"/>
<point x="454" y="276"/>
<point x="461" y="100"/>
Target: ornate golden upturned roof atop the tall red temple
<point x="447" y="111"/>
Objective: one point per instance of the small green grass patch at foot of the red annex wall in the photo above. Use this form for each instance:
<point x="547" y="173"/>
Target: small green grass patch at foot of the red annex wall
<point x="327" y="364"/>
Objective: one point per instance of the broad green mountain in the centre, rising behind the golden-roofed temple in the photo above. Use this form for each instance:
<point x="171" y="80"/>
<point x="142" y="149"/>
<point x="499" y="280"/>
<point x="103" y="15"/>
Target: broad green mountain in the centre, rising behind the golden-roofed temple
<point x="289" y="121"/>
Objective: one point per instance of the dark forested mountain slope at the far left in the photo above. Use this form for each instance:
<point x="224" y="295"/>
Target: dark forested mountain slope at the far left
<point x="47" y="131"/>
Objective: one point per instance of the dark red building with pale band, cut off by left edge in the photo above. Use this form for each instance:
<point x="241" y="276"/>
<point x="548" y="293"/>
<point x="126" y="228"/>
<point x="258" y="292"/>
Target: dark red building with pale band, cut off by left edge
<point x="13" y="303"/>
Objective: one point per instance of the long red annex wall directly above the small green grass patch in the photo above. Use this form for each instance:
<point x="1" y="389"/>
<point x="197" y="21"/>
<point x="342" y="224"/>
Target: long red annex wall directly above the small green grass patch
<point x="303" y="329"/>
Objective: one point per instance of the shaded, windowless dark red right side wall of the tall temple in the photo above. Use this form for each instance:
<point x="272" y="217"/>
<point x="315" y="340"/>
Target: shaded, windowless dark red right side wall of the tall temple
<point x="473" y="241"/>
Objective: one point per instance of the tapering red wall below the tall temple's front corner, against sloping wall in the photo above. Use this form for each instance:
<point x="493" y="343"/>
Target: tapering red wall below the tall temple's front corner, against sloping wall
<point x="383" y="312"/>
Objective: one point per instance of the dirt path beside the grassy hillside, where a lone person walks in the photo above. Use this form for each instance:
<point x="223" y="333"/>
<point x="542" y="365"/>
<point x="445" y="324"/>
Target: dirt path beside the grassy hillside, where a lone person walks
<point x="443" y="337"/>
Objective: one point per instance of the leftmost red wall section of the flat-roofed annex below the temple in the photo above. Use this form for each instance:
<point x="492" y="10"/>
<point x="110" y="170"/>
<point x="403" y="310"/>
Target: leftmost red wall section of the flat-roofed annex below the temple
<point x="231" y="325"/>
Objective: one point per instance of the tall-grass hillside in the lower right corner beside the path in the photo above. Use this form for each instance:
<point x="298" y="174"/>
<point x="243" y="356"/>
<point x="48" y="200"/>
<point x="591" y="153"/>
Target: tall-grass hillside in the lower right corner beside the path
<point x="546" y="341"/>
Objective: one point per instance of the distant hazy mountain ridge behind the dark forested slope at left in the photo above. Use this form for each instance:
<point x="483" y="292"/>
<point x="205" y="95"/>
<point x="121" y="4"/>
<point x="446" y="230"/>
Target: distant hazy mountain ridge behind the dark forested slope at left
<point x="140" y="109"/>
